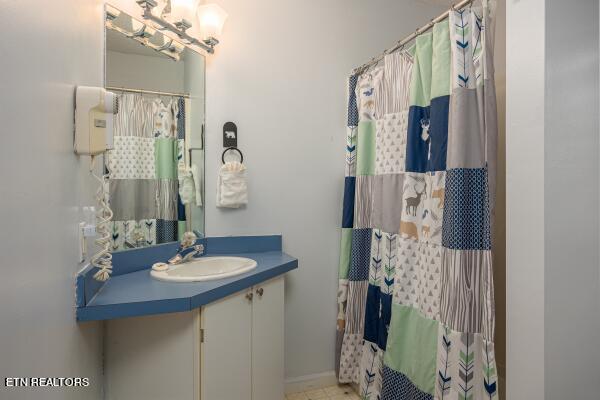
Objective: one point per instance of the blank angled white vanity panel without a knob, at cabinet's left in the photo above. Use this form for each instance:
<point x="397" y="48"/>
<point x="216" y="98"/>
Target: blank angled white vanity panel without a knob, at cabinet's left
<point x="152" y="357"/>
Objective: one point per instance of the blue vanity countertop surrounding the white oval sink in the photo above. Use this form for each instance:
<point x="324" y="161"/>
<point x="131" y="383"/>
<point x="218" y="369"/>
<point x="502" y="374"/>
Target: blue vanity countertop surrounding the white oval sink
<point x="137" y="293"/>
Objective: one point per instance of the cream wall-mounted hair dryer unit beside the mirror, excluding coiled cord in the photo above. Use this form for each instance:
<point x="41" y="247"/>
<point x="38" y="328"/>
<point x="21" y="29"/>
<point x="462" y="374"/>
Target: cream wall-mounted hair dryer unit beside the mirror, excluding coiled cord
<point x="94" y="110"/>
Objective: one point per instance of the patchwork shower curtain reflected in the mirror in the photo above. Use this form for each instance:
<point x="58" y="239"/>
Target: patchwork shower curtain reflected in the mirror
<point x="143" y="166"/>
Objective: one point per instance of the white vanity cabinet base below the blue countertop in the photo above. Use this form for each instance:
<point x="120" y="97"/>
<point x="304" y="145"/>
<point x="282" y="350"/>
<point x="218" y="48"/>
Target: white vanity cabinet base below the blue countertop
<point x="229" y="349"/>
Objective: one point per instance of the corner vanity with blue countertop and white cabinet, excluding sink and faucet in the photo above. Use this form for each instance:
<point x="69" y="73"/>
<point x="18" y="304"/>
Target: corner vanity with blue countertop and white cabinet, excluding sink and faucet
<point x="219" y="339"/>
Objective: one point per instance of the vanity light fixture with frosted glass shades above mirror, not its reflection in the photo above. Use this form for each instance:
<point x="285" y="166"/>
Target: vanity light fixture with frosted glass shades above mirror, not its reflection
<point x="182" y="13"/>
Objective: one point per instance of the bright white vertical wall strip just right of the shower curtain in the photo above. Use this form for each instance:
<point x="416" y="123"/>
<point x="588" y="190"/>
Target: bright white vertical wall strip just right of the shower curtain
<point x="525" y="199"/>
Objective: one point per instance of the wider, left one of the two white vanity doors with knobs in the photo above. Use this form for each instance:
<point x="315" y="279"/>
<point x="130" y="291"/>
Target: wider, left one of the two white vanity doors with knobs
<point x="226" y="351"/>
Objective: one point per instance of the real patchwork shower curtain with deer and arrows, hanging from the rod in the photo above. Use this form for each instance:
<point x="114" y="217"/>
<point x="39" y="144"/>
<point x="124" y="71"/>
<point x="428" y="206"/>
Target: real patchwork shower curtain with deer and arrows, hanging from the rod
<point x="415" y="298"/>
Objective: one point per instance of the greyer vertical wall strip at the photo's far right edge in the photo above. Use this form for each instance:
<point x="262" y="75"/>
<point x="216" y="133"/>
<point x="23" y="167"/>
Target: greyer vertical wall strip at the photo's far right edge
<point x="572" y="279"/>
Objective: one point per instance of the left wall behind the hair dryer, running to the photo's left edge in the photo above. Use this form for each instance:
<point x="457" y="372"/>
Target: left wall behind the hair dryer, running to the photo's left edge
<point x="45" y="53"/>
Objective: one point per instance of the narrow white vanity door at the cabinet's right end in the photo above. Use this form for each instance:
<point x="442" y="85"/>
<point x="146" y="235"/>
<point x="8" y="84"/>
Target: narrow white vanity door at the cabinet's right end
<point x="267" y="340"/>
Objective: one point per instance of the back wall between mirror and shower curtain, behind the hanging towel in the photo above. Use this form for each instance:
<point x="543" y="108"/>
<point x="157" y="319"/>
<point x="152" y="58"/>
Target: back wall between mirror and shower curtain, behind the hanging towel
<point x="280" y="75"/>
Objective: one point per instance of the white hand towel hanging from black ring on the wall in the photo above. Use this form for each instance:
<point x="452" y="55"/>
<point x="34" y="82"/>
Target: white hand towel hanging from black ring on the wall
<point x="232" y="189"/>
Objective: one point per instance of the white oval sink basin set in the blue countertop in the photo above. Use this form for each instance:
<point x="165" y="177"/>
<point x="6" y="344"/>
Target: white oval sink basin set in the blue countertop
<point x="205" y="269"/>
